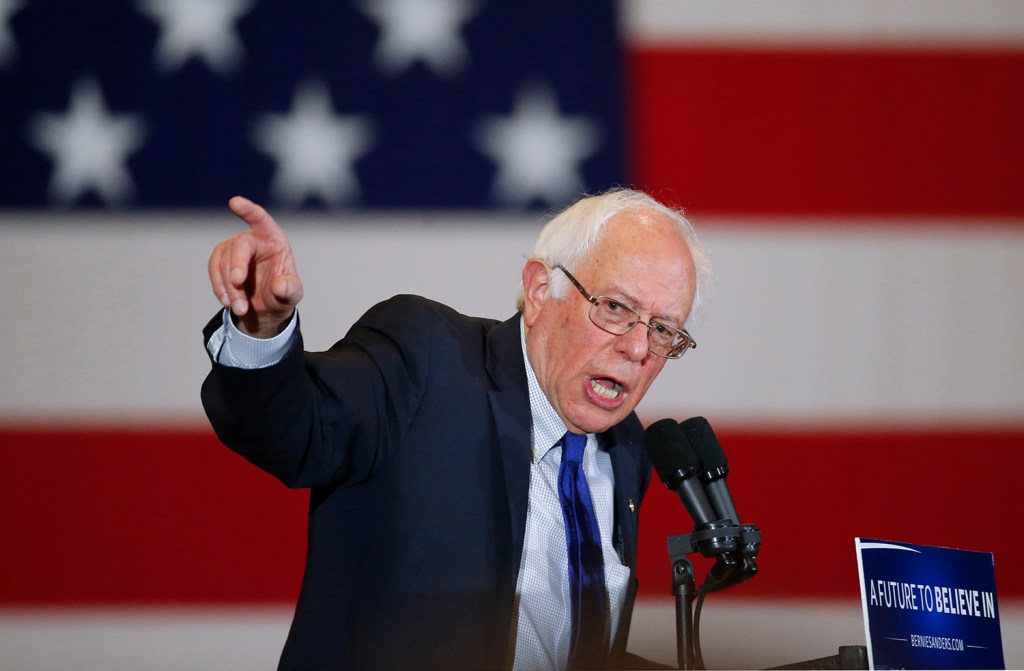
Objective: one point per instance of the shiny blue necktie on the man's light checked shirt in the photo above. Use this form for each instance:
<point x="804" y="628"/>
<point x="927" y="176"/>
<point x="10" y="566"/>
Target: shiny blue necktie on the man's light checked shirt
<point x="590" y="602"/>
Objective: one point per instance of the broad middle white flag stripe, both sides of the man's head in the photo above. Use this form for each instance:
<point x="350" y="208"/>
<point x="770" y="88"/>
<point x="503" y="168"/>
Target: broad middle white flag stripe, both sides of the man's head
<point x="824" y="322"/>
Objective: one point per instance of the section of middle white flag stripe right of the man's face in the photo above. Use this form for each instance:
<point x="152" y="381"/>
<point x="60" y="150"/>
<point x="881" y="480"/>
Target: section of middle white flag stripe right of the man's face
<point x="828" y="325"/>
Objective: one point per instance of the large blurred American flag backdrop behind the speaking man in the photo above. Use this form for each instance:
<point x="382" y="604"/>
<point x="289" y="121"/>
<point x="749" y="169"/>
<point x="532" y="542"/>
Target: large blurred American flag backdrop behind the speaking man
<point x="856" y="169"/>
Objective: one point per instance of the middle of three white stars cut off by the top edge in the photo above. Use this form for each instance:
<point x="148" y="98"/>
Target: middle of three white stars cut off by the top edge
<point x="204" y="29"/>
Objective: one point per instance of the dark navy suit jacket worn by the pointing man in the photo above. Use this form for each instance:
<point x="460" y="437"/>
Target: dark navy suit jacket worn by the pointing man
<point x="414" y="435"/>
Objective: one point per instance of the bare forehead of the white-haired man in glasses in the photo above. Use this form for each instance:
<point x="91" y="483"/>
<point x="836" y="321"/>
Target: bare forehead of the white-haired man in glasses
<point x="643" y="257"/>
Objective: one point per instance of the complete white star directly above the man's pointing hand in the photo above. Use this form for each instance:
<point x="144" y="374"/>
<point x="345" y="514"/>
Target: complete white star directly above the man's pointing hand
<point x="315" y="149"/>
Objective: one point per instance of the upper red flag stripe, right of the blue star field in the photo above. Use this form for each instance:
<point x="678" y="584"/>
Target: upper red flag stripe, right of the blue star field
<point x="820" y="133"/>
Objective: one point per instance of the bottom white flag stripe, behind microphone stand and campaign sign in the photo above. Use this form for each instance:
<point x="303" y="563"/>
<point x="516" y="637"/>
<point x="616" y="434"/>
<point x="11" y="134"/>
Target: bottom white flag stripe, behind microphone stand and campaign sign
<point x="736" y="634"/>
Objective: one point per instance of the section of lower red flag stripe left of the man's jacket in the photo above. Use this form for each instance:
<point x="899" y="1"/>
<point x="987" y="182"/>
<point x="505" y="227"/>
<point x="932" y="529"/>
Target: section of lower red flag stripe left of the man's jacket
<point x="123" y="517"/>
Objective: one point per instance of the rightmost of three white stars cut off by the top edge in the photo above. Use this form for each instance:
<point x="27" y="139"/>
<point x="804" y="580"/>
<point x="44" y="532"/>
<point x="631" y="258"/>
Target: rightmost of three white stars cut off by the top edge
<point x="420" y="30"/>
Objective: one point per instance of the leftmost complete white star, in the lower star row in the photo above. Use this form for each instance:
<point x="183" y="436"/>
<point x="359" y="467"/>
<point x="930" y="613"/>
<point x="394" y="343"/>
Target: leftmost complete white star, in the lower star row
<point x="89" y="146"/>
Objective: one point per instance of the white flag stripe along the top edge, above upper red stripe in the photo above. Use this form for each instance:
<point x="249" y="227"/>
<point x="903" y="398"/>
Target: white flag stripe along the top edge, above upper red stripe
<point x="893" y="23"/>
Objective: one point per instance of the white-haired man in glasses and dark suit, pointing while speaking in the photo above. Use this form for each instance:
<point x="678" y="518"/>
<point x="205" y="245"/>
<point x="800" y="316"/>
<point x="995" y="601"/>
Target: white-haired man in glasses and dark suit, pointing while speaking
<point x="476" y="485"/>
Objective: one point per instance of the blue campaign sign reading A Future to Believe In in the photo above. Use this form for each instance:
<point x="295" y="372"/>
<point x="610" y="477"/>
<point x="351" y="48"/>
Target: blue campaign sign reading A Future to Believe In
<point x="929" y="608"/>
